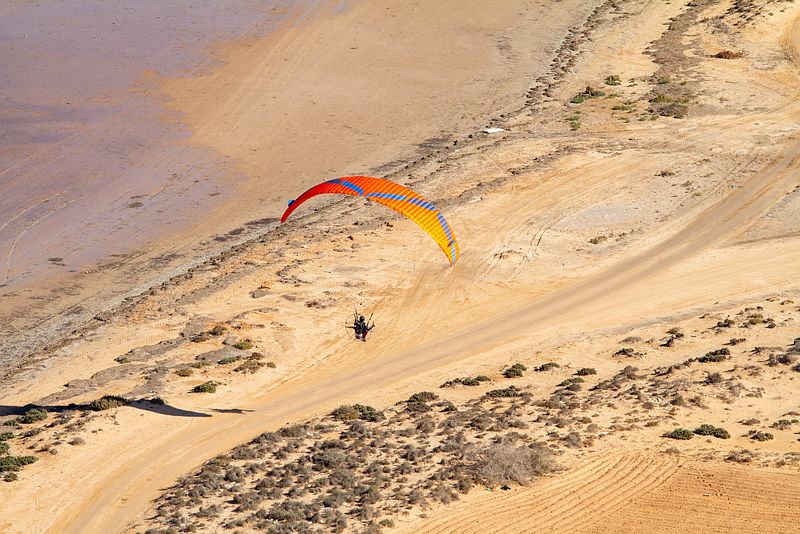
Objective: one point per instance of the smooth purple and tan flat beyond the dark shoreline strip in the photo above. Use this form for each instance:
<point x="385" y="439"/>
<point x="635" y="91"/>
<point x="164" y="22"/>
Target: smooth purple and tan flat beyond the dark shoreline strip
<point x="149" y="140"/>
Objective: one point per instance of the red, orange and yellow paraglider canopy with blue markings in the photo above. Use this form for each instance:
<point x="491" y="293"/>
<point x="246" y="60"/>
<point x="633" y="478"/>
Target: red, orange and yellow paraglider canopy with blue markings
<point x="392" y="195"/>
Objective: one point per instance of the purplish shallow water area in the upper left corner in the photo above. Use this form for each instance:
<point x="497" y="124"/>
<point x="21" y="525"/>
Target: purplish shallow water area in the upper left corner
<point x="90" y="163"/>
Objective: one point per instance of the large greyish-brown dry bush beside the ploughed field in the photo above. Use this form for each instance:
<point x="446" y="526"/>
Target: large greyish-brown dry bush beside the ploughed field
<point x="501" y="464"/>
